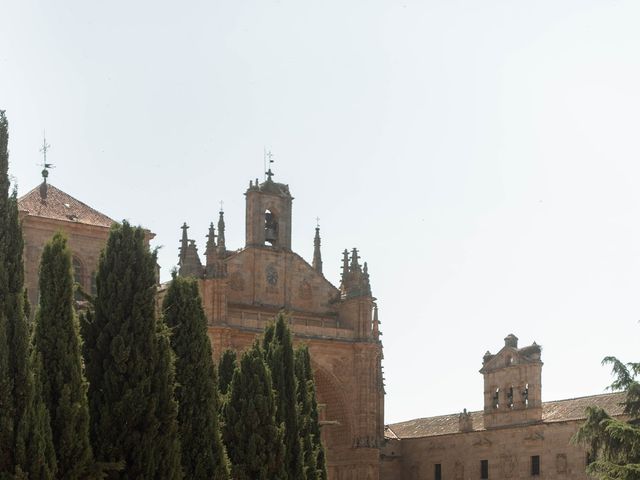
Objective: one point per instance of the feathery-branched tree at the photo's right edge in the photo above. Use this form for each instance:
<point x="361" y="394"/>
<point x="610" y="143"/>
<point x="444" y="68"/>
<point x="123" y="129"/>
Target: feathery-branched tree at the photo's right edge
<point x="614" y="443"/>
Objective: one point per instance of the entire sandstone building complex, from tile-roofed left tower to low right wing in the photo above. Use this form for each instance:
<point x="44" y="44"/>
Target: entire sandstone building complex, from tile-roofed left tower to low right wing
<point x="516" y="436"/>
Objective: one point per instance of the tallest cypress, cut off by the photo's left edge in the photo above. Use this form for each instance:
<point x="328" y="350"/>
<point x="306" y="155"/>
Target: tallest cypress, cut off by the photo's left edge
<point x="25" y="435"/>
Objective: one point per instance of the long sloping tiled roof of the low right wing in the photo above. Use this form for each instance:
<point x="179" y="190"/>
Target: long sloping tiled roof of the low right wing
<point x="556" y="411"/>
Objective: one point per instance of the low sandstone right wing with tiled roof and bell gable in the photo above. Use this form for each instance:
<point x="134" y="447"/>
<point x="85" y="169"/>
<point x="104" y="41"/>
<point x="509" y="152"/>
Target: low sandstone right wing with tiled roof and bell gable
<point x="516" y="435"/>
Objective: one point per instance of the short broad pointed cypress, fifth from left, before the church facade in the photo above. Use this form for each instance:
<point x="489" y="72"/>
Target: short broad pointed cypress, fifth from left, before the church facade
<point x="253" y="437"/>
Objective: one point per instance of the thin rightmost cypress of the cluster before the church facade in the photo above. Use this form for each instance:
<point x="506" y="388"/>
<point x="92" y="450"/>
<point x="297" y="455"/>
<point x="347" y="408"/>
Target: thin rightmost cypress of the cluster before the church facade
<point x="312" y="448"/>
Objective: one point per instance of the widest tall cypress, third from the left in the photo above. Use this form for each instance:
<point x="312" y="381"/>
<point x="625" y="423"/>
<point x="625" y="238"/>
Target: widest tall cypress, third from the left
<point x="129" y="365"/>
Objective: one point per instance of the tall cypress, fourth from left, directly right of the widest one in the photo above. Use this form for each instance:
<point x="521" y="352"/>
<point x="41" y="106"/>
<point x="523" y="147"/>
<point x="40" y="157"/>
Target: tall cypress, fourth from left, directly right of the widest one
<point x="203" y="454"/>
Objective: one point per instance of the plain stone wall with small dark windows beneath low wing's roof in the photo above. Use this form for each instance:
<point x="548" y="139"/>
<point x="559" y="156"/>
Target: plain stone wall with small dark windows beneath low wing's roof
<point x="508" y="450"/>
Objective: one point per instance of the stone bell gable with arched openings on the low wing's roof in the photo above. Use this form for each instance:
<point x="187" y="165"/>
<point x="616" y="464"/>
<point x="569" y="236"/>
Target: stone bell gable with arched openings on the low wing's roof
<point x="512" y="384"/>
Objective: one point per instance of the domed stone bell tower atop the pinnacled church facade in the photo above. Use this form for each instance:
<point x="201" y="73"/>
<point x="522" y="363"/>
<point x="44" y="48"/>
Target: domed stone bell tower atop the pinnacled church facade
<point x="268" y="214"/>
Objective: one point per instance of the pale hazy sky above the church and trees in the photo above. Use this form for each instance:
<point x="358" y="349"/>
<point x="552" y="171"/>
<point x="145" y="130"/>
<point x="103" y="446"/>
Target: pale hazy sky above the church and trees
<point x="484" y="156"/>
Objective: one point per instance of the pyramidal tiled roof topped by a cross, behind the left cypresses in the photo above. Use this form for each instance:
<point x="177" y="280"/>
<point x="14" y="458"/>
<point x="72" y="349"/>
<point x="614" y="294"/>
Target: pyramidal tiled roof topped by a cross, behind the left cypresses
<point x="59" y="205"/>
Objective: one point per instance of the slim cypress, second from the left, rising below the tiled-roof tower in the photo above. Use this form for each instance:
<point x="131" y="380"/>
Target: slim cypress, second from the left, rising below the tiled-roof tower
<point x="57" y="340"/>
